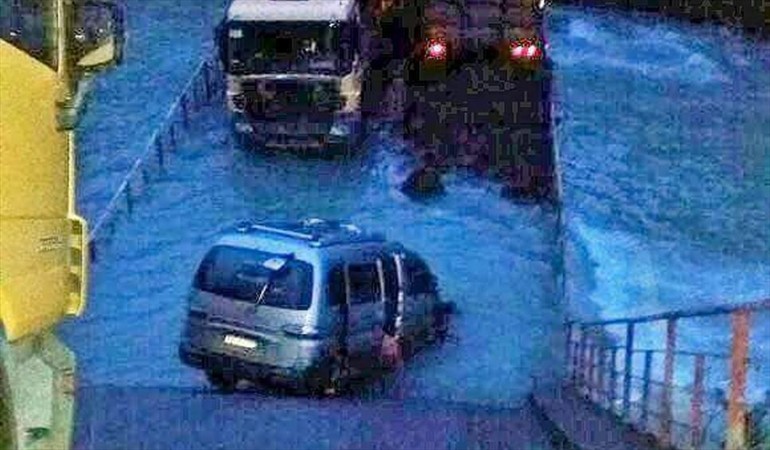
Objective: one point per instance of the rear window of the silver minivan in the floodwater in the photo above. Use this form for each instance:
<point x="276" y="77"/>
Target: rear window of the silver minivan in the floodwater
<point x="238" y="273"/>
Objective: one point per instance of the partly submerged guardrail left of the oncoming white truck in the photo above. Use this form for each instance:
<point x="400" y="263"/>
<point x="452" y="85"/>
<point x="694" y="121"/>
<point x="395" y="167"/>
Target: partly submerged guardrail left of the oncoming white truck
<point x="203" y="87"/>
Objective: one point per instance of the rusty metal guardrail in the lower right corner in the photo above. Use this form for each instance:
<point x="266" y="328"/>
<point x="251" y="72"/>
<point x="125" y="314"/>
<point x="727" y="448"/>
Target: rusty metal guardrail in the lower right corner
<point x="605" y="373"/>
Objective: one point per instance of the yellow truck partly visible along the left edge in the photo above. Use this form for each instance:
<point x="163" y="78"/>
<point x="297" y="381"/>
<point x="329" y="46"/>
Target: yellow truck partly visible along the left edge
<point x="48" y="49"/>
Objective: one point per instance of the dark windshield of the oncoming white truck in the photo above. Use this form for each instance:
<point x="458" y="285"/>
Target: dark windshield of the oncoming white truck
<point x="288" y="47"/>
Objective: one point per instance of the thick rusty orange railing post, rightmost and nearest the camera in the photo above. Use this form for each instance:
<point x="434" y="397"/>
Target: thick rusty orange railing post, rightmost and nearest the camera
<point x="736" y="407"/>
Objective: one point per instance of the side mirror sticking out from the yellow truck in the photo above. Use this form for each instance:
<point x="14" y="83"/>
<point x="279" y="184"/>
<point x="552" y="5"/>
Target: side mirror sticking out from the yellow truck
<point x="98" y="35"/>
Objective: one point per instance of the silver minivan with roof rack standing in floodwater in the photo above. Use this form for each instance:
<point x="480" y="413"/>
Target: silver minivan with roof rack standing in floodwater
<point x="307" y="303"/>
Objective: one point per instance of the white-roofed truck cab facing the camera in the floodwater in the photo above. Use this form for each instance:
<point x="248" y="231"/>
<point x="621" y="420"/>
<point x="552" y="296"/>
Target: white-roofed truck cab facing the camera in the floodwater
<point x="293" y="72"/>
